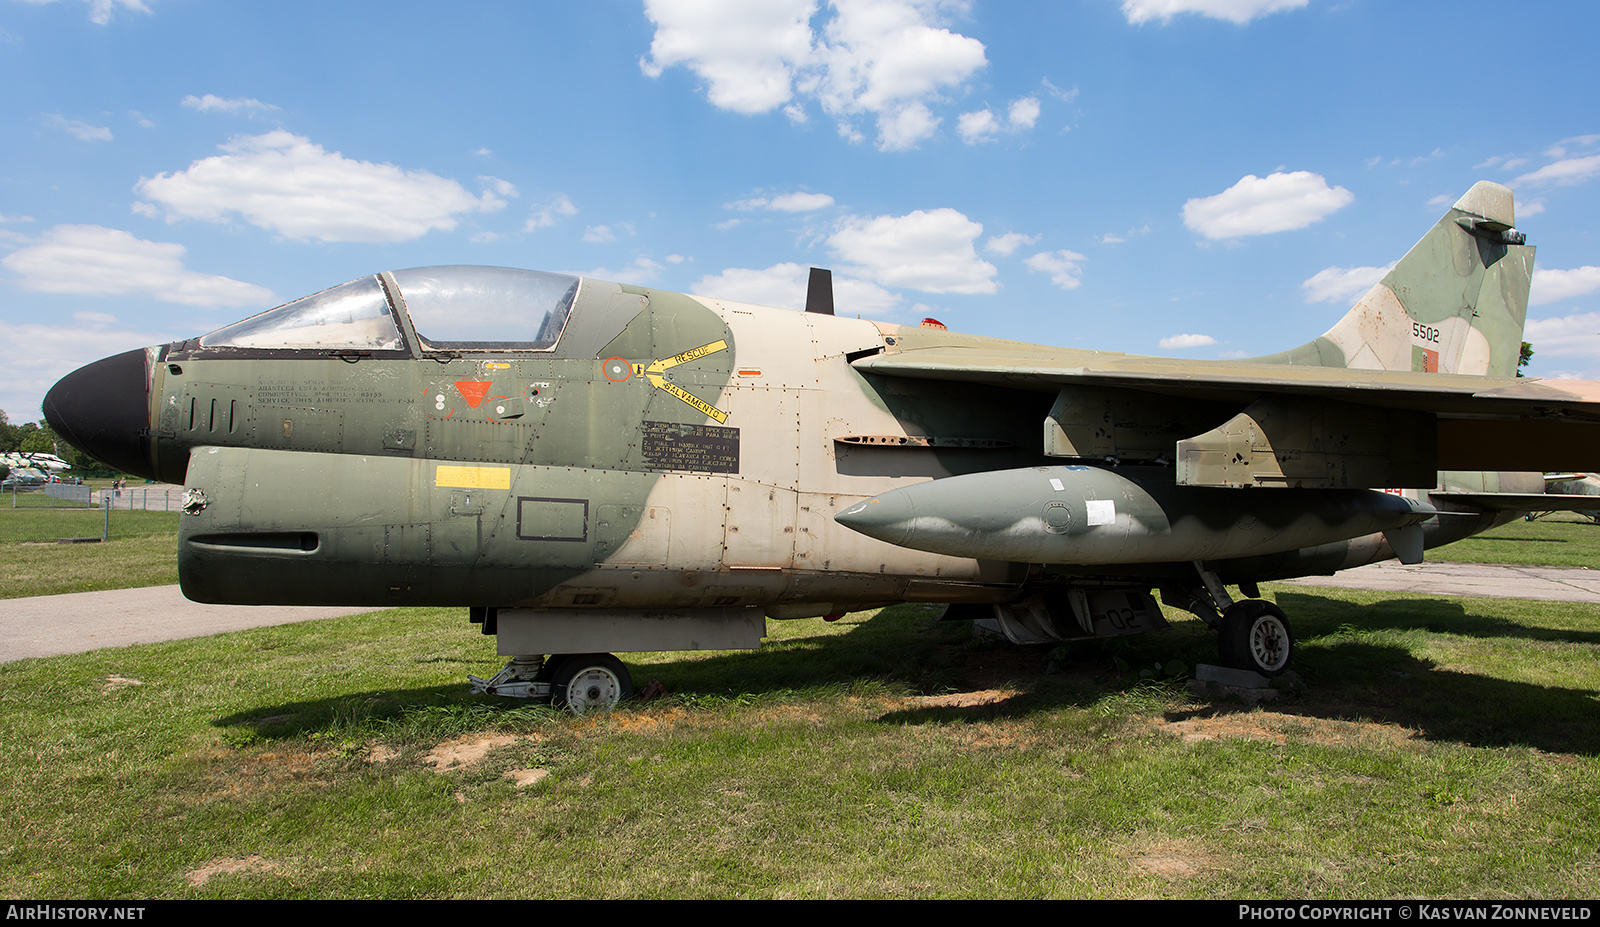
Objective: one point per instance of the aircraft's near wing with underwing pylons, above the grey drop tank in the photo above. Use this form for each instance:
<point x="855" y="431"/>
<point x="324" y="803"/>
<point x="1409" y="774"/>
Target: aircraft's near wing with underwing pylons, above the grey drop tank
<point x="1396" y="428"/>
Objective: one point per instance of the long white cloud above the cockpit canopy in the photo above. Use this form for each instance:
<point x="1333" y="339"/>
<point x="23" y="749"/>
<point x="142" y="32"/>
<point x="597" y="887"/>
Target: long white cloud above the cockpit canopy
<point x="287" y="183"/>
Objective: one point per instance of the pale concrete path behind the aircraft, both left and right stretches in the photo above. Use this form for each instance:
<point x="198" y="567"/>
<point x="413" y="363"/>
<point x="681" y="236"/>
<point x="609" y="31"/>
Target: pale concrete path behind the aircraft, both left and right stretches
<point x="50" y="625"/>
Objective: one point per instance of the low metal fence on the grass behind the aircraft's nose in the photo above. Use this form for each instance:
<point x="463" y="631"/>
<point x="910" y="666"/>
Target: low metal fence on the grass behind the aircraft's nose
<point x="70" y="513"/>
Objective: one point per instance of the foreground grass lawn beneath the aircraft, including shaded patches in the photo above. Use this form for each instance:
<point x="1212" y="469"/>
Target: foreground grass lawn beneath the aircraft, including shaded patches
<point x="1441" y="750"/>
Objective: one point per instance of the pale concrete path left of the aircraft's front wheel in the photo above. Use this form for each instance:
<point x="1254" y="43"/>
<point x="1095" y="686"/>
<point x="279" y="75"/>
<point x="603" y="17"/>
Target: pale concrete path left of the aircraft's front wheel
<point x="78" y="622"/>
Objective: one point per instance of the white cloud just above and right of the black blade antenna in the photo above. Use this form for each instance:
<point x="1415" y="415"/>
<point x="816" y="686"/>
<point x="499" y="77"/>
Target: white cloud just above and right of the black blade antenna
<point x="926" y="251"/>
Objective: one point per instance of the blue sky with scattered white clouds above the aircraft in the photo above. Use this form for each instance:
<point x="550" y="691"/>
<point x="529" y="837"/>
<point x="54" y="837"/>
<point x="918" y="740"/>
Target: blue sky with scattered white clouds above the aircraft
<point x="1204" y="179"/>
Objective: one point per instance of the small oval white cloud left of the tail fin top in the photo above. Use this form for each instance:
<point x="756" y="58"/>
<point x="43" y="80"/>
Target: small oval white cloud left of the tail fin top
<point x="1263" y="206"/>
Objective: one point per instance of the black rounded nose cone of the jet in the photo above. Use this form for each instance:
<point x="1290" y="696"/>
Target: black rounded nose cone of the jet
<point x="103" y="411"/>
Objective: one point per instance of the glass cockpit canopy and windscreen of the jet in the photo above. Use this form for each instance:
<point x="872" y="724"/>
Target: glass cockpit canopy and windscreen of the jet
<point x="452" y="308"/>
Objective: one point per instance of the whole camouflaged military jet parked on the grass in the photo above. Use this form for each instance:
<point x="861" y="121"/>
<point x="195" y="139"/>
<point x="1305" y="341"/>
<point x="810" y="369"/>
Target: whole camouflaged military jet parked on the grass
<point x="598" y="468"/>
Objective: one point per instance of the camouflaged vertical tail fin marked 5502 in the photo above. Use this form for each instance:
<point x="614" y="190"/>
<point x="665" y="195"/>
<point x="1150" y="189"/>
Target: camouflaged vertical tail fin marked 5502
<point x="1454" y="305"/>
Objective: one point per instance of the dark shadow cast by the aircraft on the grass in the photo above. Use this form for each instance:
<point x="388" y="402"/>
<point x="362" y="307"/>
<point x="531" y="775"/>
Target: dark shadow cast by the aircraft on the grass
<point x="1348" y="675"/>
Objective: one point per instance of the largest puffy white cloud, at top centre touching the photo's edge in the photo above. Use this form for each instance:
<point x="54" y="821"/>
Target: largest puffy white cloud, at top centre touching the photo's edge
<point x="886" y="60"/>
